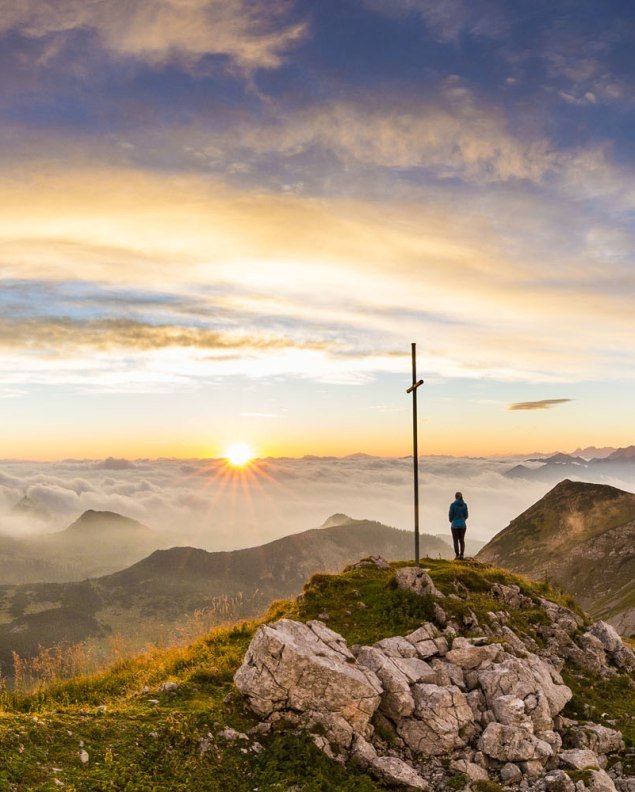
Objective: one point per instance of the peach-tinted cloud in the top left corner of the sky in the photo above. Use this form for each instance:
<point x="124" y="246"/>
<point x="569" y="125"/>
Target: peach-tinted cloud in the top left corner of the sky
<point x="250" y="33"/>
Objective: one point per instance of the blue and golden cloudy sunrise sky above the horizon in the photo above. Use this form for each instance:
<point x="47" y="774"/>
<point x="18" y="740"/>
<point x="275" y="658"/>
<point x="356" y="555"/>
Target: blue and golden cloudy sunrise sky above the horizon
<point x="227" y="220"/>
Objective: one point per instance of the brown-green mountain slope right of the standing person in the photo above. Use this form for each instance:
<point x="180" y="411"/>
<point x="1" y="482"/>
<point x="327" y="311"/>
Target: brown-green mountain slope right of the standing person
<point x="581" y="537"/>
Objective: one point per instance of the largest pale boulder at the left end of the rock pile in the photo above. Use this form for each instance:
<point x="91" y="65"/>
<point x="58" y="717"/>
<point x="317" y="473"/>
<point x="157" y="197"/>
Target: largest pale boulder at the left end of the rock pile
<point x="307" y="670"/>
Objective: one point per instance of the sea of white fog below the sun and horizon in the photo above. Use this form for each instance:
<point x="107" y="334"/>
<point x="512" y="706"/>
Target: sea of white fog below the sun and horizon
<point x="206" y="504"/>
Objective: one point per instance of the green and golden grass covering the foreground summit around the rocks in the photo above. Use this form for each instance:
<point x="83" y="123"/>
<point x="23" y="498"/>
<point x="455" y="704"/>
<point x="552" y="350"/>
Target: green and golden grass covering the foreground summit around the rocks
<point x="138" y="734"/>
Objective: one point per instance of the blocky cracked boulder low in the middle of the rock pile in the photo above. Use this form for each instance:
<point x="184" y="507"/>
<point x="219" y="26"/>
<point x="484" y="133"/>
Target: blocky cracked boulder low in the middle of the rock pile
<point x="441" y="716"/>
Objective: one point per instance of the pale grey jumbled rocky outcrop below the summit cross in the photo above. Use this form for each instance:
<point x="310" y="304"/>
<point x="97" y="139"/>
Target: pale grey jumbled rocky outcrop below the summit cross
<point x="403" y="707"/>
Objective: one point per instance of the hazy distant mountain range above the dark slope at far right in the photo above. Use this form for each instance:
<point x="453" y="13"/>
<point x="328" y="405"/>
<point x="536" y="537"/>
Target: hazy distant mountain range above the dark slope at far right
<point x="617" y="463"/>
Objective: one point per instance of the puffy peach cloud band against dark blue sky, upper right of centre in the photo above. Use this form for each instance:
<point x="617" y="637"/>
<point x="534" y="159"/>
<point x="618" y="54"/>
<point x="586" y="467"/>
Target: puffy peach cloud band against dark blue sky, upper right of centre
<point x="451" y="136"/>
